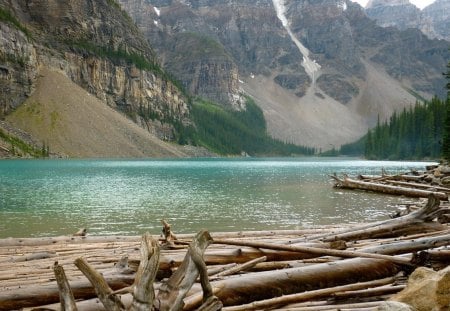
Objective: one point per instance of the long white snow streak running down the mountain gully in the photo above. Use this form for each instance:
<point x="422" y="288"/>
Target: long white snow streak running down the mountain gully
<point x="312" y="68"/>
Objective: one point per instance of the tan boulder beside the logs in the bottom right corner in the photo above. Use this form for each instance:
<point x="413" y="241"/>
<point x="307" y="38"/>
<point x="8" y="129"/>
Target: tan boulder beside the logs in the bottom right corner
<point x="427" y="290"/>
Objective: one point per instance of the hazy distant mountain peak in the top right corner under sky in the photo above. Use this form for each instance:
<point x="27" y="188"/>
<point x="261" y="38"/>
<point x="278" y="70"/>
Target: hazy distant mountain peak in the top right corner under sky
<point x="433" y="20"/>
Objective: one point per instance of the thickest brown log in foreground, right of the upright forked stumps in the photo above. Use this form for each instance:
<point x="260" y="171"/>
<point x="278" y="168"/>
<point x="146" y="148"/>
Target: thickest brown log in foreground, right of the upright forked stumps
<point x="249" y="287"/>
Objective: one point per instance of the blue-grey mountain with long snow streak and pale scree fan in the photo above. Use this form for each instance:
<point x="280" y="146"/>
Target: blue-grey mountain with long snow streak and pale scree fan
<point x="322" y="71"/>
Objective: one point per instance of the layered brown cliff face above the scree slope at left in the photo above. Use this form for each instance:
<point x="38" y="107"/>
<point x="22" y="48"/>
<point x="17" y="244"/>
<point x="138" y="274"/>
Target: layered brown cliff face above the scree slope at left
<point x="99" y="48"/>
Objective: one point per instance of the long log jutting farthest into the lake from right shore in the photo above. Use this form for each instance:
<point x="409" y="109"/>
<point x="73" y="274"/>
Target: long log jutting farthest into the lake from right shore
<point x="348" y="183"/>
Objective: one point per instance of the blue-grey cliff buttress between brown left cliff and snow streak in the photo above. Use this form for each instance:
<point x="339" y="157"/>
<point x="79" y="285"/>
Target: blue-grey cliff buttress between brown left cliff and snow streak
<point x="199" y="61"/>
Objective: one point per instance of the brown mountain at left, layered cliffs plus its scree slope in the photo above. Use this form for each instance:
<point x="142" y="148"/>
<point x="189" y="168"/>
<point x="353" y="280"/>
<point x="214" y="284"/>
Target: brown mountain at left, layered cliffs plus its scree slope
<point x="92" y="46"/>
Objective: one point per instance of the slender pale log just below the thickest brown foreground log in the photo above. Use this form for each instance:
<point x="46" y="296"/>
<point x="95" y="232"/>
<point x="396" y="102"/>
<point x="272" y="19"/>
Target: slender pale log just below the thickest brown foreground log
<point x="309" y="295"/>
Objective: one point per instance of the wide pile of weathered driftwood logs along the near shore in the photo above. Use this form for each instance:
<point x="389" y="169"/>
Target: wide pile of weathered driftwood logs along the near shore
<point x="347" y="267"/>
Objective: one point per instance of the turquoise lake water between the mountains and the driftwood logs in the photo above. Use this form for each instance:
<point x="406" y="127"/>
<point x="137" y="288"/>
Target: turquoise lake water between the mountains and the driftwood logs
<point x="130" y="197"/>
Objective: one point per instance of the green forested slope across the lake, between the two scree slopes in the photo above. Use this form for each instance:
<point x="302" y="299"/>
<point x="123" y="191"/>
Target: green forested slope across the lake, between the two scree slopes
<point x="226" y="131"/>
